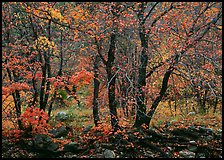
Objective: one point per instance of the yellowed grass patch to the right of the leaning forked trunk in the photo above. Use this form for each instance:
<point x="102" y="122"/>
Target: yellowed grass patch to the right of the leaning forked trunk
<point x="209" y="119"/>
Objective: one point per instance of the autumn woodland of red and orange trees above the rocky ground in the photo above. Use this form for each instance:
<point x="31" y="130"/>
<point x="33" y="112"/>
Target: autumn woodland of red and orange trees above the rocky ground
<point x="129" y="64"/>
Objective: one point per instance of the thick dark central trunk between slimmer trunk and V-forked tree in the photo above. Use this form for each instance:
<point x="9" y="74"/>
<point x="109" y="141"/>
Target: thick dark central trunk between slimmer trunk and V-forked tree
<point x="111" y="77"/>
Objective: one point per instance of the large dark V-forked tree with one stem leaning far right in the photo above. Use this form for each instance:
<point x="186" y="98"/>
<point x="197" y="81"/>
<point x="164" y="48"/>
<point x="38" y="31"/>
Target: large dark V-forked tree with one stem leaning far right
<point x="188" y="43"/>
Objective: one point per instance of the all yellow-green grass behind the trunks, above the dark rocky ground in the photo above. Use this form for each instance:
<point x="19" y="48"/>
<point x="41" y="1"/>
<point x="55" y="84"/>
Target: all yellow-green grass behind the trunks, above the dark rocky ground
<point x="80" y="118"/>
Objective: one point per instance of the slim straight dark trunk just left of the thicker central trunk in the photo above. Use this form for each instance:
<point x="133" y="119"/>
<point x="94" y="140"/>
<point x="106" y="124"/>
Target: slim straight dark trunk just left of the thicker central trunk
<point x="96" y="91"/>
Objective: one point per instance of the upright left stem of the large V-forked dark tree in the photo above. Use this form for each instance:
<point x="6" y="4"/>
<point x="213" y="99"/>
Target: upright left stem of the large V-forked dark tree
<point x="141" y="107"/>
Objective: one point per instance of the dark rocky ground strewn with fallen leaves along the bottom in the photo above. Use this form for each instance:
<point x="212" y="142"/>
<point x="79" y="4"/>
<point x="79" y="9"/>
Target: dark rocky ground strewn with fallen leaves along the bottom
<point x="188" y="142"/>
